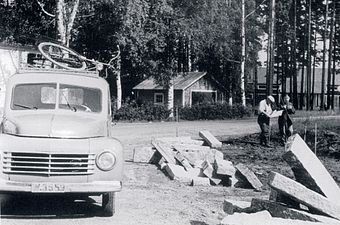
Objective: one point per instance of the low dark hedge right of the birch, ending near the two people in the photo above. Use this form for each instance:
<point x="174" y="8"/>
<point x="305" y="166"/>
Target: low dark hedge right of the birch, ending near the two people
<point x="214" y="111"/>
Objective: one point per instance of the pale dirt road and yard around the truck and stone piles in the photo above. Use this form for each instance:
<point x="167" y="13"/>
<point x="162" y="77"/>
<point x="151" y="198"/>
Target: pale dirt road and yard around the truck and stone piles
<point x="148" y="196"/>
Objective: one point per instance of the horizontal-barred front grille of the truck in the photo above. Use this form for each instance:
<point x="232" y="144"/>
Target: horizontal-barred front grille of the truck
<point x="49" y="164"/>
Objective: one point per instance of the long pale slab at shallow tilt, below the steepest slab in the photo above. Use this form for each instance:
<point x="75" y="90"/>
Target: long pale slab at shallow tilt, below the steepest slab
<point x="303" y="195"/>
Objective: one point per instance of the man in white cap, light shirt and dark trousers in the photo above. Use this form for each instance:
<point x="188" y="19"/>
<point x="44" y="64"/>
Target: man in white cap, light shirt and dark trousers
<point x="265" y="110"/>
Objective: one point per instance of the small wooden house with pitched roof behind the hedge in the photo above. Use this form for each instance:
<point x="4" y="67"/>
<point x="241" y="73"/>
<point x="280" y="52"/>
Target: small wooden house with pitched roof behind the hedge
<point x="189" y="88"/>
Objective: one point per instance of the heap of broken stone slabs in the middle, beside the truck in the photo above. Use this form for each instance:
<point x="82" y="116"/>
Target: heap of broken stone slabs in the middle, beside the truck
<point x="196" y="162"/>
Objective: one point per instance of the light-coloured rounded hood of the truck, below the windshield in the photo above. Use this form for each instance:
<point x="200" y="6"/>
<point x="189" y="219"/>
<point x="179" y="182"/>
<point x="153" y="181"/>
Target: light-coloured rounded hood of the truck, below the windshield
<point x="59" y="126"/>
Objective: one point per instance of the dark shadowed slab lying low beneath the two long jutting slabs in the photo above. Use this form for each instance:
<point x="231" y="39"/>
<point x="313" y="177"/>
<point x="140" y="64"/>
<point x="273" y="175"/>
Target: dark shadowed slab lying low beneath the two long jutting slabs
<point x="279" y="210"/>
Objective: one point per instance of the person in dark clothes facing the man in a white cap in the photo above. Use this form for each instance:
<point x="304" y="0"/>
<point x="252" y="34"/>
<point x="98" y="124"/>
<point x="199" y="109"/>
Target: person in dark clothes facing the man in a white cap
<point x="285" y="122"/>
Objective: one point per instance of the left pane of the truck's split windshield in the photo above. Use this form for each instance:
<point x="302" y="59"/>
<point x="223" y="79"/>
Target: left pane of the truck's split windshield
<point x="34" y="96"/>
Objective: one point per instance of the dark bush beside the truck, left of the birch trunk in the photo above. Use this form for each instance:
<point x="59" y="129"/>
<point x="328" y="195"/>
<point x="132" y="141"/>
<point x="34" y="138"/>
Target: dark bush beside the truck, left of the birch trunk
<point x="149" y="112"/>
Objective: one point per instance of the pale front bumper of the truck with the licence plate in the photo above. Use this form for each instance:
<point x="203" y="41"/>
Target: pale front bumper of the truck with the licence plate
<point x="92" y="187"/>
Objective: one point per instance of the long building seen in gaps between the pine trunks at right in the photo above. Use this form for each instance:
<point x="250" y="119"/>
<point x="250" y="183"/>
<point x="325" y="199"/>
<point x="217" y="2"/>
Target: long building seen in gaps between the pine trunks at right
<point x="258" y="82"/>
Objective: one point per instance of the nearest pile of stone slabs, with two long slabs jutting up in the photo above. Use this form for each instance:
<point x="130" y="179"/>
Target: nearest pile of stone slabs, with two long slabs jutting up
<point x="313" y="196"/>
